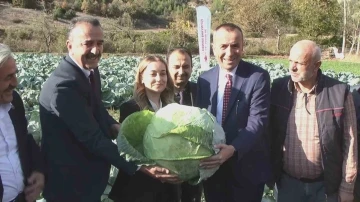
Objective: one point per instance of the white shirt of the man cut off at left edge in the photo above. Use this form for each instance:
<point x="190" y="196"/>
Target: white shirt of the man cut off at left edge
<point x="10" y="168"/>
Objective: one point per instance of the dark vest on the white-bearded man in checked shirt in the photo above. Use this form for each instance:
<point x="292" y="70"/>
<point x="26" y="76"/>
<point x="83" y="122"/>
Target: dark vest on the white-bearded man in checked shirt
<point x="329" y="107"/>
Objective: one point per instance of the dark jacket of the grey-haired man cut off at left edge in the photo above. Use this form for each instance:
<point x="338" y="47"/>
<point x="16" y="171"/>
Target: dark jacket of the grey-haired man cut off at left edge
<point x="29" y="152"/>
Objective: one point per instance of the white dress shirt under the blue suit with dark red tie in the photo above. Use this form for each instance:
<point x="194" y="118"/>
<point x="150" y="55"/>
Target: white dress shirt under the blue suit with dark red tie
<point x="221" y="89"/>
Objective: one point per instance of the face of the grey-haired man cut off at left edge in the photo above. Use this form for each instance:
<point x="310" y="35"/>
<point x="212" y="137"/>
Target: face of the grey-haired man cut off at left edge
<point x="8" y="80"/>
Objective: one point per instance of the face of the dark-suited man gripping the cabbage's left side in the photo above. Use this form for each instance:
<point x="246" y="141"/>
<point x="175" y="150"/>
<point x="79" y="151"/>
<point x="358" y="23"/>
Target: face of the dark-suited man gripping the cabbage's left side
<point x="85" y="45"/>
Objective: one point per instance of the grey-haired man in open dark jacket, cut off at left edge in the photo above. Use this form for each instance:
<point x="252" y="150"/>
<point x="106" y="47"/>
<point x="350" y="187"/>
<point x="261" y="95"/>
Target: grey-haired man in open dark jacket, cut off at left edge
<point x="21" y="164"/>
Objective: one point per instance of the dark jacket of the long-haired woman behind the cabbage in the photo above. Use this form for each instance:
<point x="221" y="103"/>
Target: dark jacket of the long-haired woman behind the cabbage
<point x="139" y="187"/>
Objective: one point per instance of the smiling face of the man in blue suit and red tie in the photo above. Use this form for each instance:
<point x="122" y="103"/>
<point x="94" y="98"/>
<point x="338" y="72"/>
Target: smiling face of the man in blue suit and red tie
<point x="228" y="47"/>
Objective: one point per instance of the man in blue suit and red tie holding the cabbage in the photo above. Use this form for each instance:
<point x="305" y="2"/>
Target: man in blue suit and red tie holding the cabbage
<point x="238" y="94"/>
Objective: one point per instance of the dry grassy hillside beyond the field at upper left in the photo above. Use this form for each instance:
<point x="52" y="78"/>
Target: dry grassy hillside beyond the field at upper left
<point x="29" y="30"/>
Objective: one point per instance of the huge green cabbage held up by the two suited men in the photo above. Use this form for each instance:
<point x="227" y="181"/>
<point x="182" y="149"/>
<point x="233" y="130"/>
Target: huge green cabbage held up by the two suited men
<point x="176" y="137"/>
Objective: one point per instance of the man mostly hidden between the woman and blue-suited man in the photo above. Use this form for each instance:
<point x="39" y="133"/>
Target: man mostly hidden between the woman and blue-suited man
<point x="180" y="68"/>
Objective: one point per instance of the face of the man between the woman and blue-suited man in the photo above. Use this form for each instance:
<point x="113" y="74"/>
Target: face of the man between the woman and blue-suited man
<point x="179" y="68"/>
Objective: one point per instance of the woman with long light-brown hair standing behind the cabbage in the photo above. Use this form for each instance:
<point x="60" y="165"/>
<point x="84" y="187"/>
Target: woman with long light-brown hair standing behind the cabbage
<point x="153" y="89"/>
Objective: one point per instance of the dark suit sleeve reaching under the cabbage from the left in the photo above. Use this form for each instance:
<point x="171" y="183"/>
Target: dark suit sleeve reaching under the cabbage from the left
<point x="84" y="126"/>
